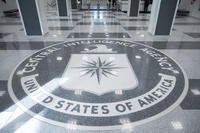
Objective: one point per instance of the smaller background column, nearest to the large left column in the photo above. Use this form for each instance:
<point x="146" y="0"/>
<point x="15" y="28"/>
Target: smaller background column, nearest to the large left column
<point x="63" y="7"/>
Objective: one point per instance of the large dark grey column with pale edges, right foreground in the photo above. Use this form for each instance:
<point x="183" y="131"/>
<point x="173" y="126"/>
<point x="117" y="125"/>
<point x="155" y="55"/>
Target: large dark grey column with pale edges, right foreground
<point x="163" y="14"/>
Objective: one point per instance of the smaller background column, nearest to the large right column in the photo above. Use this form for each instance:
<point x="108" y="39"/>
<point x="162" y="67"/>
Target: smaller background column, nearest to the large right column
<point x="133" y="8"/>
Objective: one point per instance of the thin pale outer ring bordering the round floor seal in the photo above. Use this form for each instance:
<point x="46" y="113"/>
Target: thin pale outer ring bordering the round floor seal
<point x="100" y="128"/>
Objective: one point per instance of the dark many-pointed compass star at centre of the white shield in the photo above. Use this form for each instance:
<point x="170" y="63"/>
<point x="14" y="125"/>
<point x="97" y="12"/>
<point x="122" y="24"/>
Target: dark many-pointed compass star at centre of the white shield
<point x="99" y="68"/>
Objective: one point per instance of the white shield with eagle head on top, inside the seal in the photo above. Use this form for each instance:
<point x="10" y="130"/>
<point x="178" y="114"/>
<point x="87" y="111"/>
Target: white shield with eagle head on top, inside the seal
<point x="99" y="71"/>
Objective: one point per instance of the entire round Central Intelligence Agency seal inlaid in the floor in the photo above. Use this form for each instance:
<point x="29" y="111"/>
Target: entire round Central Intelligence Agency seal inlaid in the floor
<point x="98" y="84"/>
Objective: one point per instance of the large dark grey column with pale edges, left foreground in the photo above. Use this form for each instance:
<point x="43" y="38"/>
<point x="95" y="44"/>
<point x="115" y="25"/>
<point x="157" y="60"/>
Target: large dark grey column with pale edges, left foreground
<point x="32" y="17"/>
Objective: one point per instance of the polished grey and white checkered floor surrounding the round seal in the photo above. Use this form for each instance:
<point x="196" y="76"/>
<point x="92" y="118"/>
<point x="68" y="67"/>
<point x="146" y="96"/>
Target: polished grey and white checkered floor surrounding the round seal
<point x="183" y="46"/>
